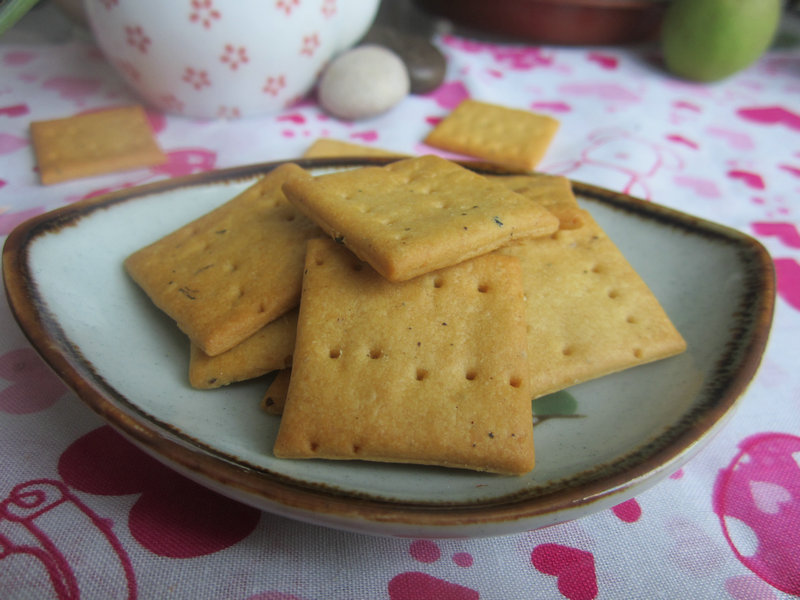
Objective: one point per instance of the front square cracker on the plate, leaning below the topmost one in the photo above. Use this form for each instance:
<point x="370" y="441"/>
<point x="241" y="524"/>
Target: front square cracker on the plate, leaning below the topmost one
<point x="428" y="371"/>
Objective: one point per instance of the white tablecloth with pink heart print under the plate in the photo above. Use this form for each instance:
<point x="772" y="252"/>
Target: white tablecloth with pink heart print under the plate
<point x="123" y="526"/>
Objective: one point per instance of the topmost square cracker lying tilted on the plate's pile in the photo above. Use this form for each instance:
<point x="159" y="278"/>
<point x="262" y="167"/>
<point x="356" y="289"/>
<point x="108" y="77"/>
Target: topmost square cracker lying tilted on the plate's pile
<point x="417" y="215"/>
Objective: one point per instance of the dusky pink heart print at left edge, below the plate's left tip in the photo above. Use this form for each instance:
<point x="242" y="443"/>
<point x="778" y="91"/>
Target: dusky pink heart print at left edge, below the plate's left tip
<point x="33" y="386"/>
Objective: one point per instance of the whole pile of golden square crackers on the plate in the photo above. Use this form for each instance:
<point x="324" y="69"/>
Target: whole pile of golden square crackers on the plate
<point x="414" y="310"/>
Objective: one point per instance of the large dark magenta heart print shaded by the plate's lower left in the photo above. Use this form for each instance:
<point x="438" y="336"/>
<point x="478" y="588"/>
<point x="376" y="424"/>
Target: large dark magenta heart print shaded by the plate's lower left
<point x="173" y="517"/>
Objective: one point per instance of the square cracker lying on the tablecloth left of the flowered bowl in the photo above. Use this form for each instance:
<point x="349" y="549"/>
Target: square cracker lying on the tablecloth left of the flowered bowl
<point x="93" y="144"/>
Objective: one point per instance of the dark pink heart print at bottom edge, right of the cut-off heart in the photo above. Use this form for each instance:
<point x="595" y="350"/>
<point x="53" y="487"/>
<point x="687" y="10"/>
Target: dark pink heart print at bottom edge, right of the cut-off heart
<point x="572" y="567"/>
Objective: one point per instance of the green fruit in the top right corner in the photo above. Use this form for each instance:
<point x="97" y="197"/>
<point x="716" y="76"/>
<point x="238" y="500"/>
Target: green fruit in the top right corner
<point x="708" y="40"/>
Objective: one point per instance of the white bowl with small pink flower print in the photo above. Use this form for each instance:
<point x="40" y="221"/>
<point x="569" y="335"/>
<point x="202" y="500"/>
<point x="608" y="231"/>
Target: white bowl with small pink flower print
<point x="225" y="58"/>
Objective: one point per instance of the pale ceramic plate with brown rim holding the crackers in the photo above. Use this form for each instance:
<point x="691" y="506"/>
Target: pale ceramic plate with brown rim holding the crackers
<point x="597" y="444"/>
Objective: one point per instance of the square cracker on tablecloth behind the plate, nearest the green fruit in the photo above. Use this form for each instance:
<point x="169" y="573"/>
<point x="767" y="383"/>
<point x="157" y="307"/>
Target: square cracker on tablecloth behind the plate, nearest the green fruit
<point x="499" y="134"/>
